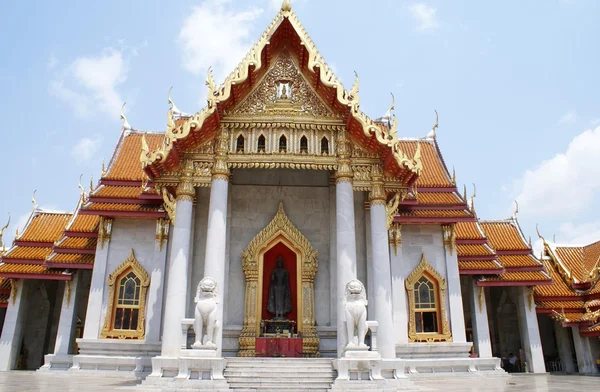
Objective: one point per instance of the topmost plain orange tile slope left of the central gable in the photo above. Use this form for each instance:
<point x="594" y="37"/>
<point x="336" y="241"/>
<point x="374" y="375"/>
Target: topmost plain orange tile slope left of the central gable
<point x="125" y="164"/>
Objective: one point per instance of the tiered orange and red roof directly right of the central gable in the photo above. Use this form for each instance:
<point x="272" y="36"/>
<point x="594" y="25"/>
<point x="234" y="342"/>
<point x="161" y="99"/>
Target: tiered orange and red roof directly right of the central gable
<point x="434" y="197"/>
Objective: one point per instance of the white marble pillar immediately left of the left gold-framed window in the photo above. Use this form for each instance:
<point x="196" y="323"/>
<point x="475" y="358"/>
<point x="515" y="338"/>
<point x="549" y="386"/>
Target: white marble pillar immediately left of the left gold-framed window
<point x="93" y="316"/>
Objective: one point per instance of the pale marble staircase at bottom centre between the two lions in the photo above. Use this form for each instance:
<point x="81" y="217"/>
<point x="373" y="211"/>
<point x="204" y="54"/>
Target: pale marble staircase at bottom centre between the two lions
<point x="279" y="374"/>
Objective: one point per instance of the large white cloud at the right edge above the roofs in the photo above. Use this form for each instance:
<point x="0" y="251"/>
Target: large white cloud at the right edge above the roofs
<point x="565" y="184"/>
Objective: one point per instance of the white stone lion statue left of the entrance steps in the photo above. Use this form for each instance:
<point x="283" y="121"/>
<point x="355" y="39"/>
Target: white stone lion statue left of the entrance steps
<point x="206" y="325"/>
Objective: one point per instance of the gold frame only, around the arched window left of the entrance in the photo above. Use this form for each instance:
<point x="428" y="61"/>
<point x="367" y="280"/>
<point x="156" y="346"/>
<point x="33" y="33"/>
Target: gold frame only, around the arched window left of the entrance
<point x="108" y="332"/>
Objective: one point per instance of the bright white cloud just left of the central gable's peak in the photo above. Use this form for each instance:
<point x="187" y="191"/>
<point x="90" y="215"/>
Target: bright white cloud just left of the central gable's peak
<point x="217" y="35"/>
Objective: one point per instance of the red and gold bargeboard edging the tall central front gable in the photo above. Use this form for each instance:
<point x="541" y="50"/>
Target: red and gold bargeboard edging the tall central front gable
<point x="284" y="33"/>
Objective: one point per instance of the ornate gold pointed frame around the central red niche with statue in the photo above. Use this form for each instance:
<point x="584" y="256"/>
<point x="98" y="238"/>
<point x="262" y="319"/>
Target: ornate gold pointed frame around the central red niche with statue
<point x="280" y="229"/>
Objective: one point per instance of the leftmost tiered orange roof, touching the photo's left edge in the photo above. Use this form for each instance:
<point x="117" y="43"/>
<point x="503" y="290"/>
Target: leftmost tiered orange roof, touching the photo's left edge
<point x="26" y="258"/>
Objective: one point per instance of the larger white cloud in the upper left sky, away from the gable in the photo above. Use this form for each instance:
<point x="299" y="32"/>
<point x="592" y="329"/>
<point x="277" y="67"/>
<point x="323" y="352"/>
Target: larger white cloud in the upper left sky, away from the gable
<point x="89" y="84"/>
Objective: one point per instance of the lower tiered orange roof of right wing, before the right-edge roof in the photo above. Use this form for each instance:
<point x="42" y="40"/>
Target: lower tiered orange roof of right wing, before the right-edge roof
<point x="513" y="251"/>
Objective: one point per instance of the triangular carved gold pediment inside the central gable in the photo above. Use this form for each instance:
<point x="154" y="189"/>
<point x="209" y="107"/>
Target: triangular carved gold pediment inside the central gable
<point x="282" y="91"/>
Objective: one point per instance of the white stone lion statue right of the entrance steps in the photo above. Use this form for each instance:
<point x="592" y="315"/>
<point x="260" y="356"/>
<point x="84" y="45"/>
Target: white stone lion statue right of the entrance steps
<point x="355" y="304"/>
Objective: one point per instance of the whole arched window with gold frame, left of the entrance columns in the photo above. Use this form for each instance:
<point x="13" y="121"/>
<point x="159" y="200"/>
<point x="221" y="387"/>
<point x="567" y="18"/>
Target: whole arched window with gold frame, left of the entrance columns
<point x="125" y="317"/>
